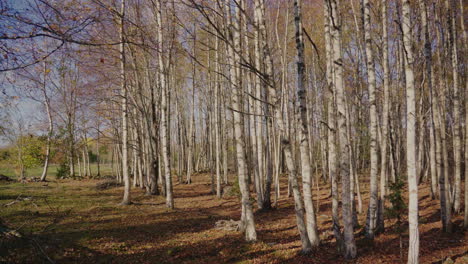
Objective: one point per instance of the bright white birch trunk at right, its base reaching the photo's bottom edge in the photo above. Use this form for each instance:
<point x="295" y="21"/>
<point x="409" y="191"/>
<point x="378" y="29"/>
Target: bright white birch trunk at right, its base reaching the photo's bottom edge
<point x="413" y="248"/>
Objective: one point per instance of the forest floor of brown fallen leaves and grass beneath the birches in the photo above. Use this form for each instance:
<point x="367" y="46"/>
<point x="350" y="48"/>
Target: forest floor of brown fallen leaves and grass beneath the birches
<point x="66" y="221"/>
